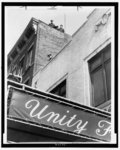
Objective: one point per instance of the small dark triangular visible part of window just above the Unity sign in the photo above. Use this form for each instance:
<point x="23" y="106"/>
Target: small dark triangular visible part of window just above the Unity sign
<point x="60" y="89"/>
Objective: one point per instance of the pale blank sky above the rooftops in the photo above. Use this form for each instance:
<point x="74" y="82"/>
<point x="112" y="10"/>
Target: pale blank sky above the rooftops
<point x="17" y="18"/>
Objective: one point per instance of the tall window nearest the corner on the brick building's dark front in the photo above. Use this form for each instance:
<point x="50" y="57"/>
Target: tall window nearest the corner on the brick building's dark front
<point x="29" y="57"/>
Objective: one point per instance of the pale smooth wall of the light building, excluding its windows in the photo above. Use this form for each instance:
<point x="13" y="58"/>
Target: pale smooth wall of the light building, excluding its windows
<point x="72" y="60"/>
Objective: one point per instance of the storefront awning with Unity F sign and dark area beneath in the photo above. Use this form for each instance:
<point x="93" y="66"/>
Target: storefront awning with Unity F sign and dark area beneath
<point x="36" y="116"/>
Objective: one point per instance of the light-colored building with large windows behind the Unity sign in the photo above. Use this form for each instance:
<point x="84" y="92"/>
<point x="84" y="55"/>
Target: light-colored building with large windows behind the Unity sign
<point x="81" y="71"/>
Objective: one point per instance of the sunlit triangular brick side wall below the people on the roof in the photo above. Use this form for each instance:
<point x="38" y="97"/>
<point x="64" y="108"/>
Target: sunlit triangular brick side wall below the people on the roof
<point x="49" y="41"/>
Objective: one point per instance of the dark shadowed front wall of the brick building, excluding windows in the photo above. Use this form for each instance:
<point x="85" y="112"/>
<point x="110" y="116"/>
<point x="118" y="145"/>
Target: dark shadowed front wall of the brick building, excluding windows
<point x="23" y="51"/>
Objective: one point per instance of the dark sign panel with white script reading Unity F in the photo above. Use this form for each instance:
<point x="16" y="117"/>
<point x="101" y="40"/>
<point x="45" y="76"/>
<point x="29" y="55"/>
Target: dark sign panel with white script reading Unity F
<point x="60" y="115"/>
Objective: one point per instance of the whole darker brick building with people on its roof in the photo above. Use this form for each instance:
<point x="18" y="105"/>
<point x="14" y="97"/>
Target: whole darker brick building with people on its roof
<point x="38" y="44"/>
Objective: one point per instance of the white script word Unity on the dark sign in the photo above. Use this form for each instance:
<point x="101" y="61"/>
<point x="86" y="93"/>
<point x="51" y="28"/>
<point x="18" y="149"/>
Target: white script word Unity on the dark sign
<point x="41" y="113"/>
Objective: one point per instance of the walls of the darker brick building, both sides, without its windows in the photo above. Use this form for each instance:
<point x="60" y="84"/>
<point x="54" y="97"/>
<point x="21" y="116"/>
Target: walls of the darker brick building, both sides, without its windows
<point x="47" y="40"/>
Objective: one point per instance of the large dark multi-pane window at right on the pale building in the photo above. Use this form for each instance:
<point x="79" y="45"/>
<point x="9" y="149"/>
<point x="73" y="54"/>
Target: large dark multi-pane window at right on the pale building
<point x="100" y="73"/>
